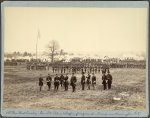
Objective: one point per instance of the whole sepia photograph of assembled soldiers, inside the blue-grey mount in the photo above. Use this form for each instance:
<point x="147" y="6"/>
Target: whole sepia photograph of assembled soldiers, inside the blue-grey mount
<point x="75" y="58"/>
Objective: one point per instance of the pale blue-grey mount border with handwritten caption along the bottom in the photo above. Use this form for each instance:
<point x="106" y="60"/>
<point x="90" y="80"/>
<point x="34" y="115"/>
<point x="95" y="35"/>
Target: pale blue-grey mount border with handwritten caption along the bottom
<point x="71" y="113"/>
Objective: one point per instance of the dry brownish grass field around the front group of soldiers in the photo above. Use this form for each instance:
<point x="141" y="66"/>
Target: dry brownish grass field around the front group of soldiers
<point x="21" y="90"/>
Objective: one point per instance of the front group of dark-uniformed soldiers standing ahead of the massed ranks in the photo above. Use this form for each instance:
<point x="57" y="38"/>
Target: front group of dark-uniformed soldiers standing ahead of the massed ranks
<point x="89" y="80"/>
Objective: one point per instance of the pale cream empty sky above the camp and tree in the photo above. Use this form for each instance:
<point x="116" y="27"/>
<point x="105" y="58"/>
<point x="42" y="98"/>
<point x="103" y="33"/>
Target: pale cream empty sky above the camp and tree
<point x="89" y="30"/>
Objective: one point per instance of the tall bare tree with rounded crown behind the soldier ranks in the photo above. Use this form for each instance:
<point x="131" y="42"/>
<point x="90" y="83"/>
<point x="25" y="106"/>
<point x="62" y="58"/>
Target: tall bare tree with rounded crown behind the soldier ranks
<point x="53" y="48"/>
